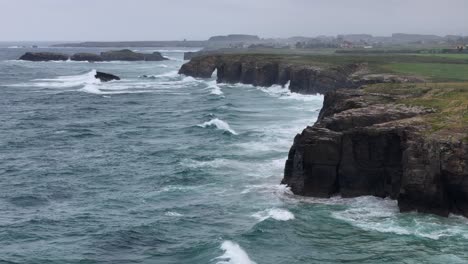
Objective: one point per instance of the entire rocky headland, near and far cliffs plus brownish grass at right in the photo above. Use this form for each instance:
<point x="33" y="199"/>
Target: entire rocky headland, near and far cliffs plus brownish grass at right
<point x="386" y="135"/>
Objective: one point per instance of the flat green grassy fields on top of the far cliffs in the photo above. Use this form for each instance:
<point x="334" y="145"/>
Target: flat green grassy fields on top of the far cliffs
<point x="433" y="68"/>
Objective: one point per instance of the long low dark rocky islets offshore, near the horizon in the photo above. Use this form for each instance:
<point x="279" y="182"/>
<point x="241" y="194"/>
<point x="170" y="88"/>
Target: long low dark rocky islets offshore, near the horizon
<point x="114" y="55"/>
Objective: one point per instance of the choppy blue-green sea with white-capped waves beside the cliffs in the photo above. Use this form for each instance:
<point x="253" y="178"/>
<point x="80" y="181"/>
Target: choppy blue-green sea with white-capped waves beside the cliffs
<point x="172" y="169"/>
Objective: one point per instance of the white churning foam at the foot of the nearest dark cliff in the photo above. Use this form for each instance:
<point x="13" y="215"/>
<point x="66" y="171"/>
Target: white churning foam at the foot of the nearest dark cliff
<point x="382" y="215"/>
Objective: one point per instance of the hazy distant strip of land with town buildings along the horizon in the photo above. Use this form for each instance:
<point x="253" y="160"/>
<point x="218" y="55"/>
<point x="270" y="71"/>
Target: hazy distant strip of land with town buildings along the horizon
<point x="455" y="43"/>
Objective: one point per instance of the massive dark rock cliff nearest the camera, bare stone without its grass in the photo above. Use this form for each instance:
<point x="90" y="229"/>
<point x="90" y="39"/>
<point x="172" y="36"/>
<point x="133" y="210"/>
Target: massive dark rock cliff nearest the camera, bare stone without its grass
<point x="367" y="143"/>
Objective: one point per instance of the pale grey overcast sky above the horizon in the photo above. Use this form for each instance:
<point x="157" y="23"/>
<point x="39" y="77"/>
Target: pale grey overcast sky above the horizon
<point x="106" y="20"/>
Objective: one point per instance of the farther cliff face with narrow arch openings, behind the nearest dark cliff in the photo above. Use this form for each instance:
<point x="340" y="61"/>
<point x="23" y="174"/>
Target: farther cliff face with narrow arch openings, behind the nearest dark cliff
<point x="262" y="71"/>
